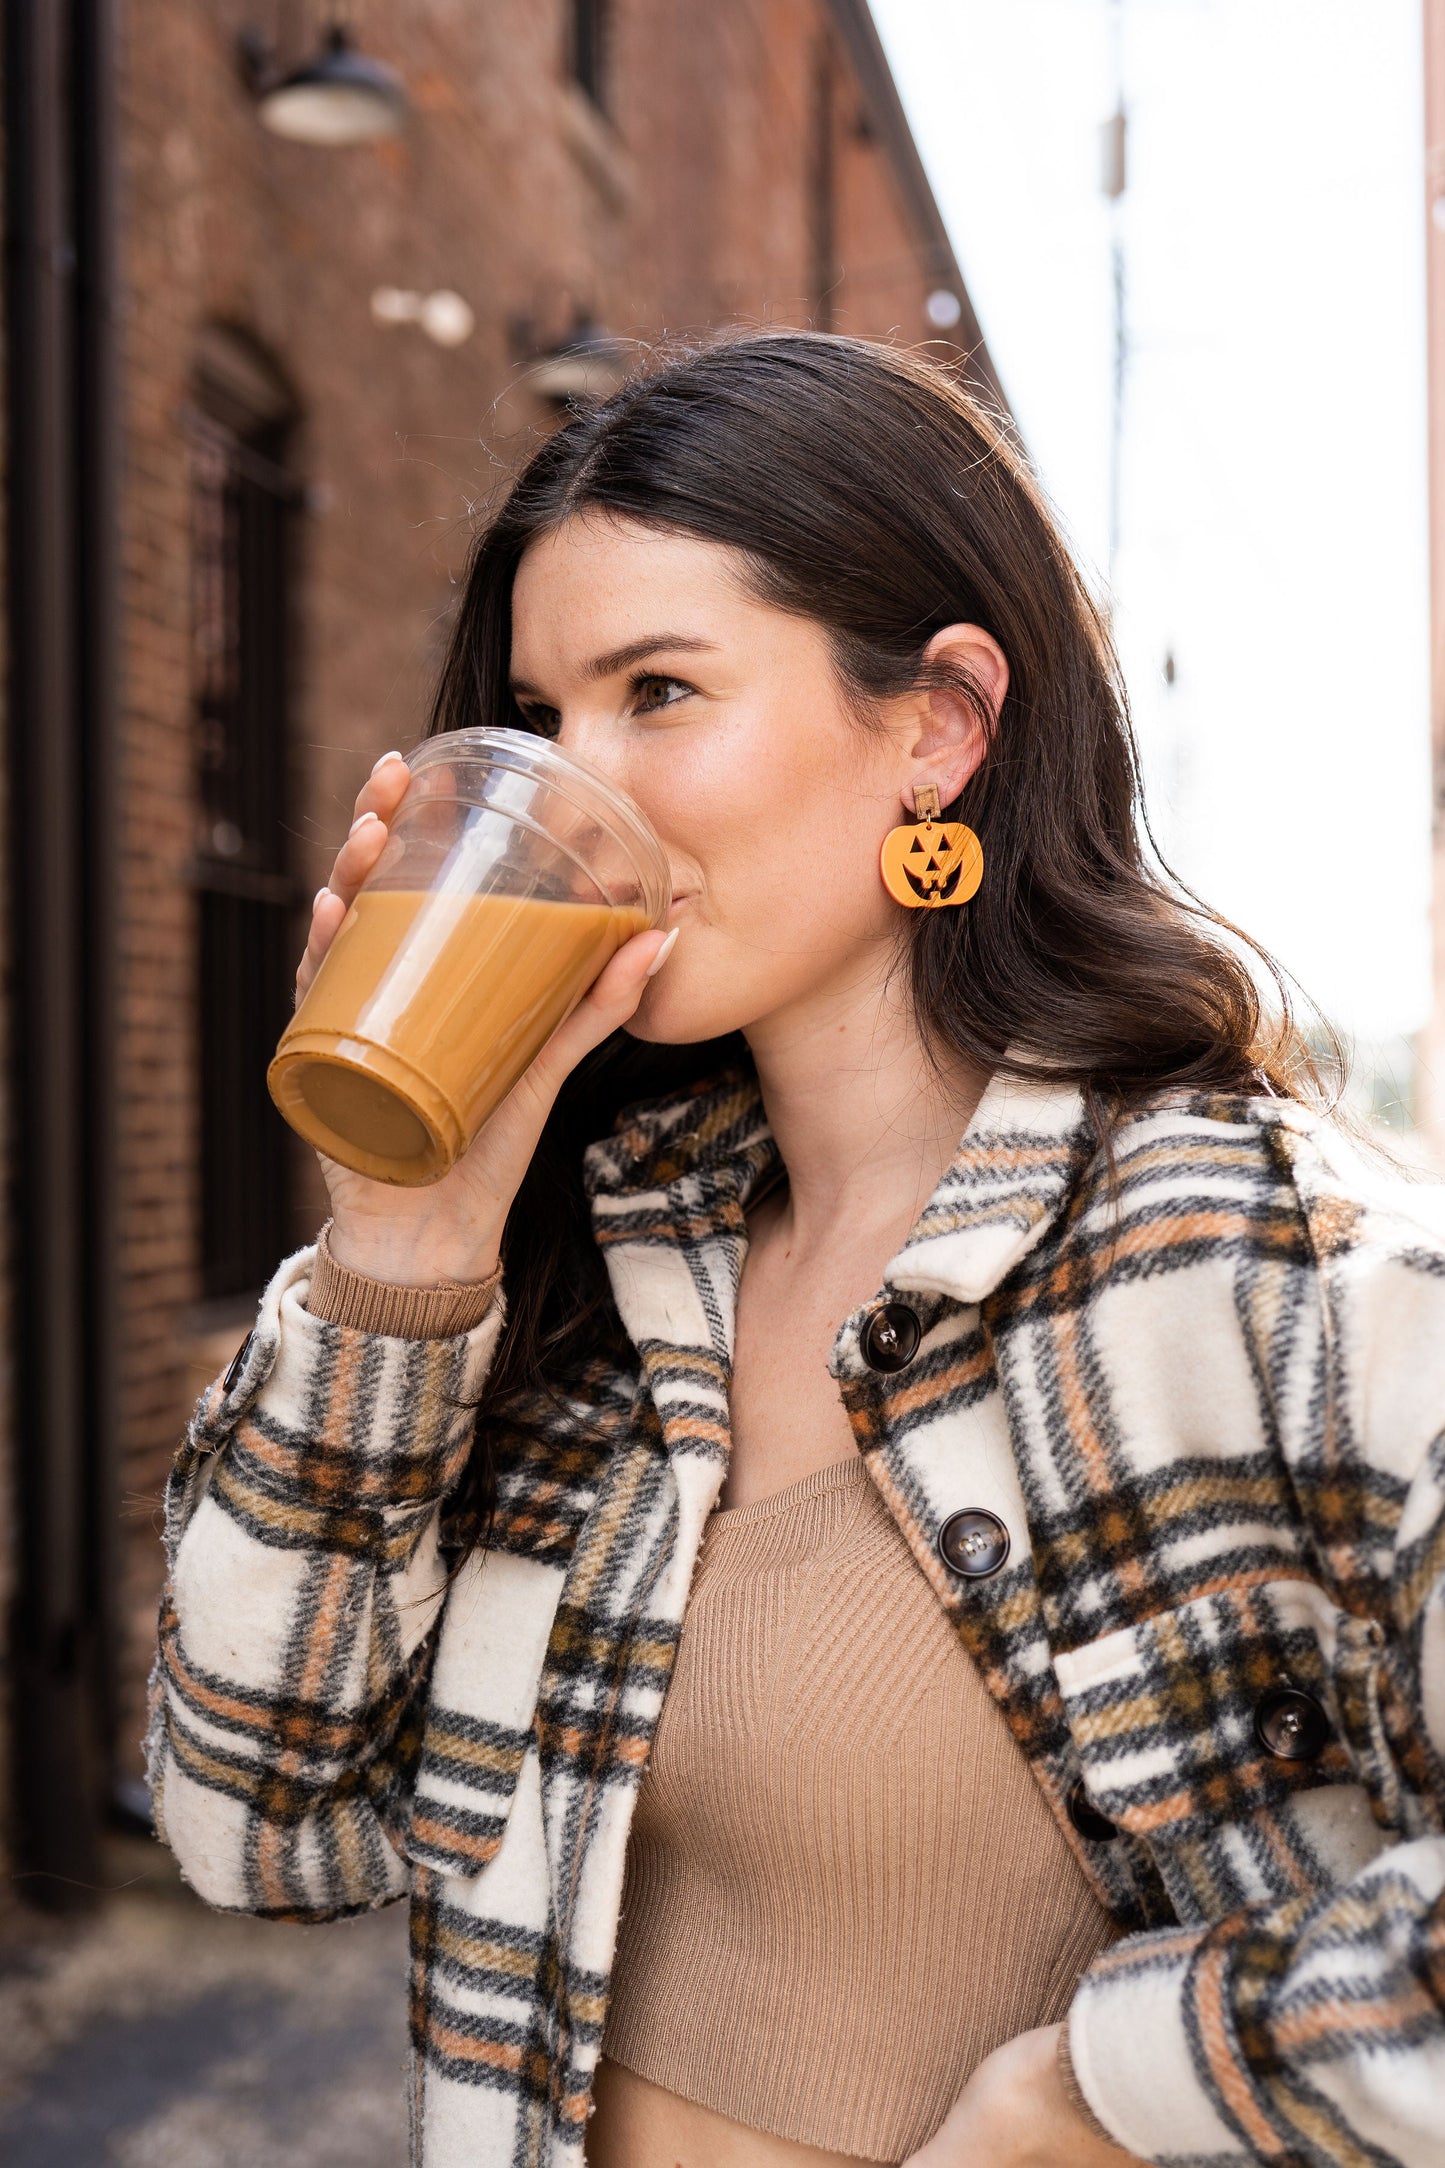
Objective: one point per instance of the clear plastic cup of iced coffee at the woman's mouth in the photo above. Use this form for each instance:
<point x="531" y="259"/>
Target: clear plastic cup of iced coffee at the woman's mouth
<point x="512" y="875"/>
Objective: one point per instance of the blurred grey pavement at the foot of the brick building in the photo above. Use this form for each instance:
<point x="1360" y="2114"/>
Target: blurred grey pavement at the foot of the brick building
<point x="159" y="2035"/>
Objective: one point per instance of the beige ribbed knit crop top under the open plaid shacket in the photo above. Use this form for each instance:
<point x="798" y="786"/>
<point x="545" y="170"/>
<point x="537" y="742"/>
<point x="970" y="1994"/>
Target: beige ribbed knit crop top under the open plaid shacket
<point x="844" y="1885"/>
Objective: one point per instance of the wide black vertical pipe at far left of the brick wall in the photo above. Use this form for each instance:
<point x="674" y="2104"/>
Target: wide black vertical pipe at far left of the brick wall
<point x="55" y="1705"/>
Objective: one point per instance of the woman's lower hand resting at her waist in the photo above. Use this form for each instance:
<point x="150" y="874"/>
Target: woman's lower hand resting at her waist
<point x="1017" y="2115"/>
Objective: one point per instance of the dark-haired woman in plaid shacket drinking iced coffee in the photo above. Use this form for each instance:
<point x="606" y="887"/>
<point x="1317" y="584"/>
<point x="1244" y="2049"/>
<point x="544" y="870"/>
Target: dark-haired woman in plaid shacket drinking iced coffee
<point x="917" y="1634"/>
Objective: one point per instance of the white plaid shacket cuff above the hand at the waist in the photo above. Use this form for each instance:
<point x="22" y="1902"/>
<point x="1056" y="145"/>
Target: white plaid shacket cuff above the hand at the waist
<point x="1130" y="2052"/>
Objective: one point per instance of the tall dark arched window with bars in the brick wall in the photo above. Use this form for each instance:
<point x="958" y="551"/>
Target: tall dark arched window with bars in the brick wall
<point x="244" y="511"/>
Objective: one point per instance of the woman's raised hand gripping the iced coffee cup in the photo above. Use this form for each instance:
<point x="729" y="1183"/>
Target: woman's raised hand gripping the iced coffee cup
<point x="454" y="1228"/>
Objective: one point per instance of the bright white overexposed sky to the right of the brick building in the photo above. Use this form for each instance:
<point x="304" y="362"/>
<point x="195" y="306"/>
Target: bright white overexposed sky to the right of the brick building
<point x="1275" y="456"/>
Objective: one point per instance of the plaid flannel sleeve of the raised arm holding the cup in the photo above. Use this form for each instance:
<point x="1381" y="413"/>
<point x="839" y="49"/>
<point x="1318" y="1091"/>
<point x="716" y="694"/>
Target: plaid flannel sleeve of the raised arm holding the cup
<point x="302" y="1597"/>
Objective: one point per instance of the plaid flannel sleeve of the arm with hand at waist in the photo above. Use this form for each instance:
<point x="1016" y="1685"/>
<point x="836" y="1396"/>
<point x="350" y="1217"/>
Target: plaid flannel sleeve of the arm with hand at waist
<point x="1314" y="2030"/>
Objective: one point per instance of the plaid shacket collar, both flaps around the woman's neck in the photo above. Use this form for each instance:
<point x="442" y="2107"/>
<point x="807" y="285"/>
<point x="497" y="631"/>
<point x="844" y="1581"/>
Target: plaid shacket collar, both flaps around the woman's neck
<point x="697" y="1161"/>
